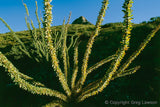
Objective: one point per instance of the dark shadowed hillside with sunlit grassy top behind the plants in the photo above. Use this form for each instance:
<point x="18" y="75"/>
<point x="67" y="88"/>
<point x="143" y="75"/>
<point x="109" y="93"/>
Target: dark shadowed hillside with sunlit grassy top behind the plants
<point x="143" y="85"/>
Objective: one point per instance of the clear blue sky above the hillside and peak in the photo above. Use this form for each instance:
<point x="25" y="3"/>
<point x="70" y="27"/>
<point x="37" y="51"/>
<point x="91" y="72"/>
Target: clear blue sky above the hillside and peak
<point x="13" y="11"/>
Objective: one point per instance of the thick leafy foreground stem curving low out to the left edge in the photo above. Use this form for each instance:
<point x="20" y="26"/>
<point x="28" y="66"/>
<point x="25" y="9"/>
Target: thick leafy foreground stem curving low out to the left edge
<point x="16" y="76"/>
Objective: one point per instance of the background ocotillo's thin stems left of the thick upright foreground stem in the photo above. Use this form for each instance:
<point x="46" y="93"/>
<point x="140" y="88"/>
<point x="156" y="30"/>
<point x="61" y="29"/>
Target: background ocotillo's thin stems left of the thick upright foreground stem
<point x="37" y="38"/>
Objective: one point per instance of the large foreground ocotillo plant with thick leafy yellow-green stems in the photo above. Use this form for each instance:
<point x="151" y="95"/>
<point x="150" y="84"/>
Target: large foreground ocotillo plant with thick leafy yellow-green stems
<point x="74" y="88"/>
